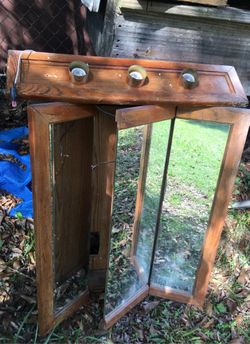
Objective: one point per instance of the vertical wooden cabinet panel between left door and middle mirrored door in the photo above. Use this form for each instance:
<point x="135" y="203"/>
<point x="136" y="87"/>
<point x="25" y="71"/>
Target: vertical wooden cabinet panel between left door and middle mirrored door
<point x="103" y="167"/>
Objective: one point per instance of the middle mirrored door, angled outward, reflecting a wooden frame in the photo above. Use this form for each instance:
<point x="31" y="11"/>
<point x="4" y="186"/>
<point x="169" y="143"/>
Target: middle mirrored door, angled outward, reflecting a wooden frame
<point x="135" y="208"/>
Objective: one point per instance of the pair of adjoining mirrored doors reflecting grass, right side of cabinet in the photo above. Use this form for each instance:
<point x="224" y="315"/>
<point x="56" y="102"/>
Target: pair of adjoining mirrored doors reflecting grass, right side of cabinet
<point x="165" y="234"/>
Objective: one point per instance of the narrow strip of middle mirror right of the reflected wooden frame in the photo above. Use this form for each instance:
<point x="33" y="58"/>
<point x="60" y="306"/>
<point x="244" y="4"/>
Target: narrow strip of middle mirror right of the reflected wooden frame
<point x="145" y="228"/>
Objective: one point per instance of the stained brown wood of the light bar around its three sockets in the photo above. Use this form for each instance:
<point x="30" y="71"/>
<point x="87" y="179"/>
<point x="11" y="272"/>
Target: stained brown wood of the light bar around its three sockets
<point x="46" y="76"/>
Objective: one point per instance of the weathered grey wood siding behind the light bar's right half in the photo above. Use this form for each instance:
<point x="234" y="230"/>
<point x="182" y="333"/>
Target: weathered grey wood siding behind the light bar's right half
<point x="192" y="38"/>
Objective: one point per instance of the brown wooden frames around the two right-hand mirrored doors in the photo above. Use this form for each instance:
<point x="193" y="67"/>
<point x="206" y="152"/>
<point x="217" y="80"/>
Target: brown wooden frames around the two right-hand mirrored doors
<point x="239" y="121"/>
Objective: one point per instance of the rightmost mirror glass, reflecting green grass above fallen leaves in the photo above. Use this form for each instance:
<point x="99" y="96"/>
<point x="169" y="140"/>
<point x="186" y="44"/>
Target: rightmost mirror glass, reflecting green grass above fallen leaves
<point x="196" y="156"/>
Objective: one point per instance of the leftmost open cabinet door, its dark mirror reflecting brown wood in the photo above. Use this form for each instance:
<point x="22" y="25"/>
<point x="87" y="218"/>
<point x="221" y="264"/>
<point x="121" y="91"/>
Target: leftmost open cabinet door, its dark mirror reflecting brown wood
<point x="61" y="153"/>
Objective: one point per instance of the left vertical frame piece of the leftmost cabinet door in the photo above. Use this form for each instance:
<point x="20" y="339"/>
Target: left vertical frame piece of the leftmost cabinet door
<point x="40" y="156"/>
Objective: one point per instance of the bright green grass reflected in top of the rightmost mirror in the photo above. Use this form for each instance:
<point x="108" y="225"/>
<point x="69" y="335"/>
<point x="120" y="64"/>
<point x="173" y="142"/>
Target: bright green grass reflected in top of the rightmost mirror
<point x="198" y="149"/>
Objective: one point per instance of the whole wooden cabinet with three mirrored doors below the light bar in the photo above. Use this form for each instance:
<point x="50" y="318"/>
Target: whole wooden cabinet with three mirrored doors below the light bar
<point x="173" y="177"/>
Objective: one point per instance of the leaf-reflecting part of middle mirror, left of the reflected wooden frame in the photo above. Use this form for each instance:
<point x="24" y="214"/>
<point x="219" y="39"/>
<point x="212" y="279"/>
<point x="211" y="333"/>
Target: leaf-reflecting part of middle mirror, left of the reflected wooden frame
<point x="122" y="280"/>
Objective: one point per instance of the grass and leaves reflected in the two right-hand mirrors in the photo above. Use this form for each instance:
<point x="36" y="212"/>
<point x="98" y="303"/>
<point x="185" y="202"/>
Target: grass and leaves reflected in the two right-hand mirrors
<point x="195" y="160"/>
